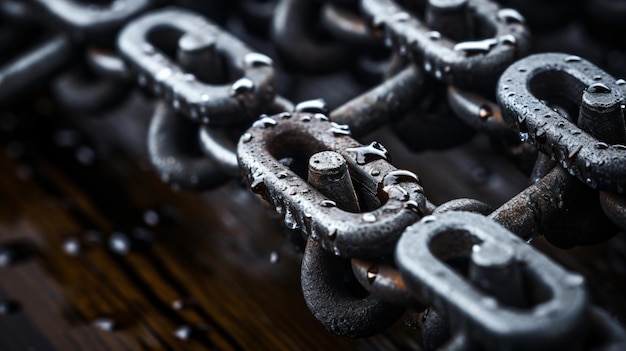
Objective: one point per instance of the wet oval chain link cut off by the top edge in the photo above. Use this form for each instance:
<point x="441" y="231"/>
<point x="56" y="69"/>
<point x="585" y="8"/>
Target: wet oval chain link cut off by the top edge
<point x="470" y="63"/>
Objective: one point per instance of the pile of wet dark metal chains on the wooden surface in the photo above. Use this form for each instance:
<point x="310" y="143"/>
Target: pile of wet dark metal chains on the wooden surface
<point x="376" y="246"/>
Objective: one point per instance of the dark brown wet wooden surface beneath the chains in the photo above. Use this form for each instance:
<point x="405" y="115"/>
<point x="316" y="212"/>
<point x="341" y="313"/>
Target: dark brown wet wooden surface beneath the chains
<point x="218" y="263"/>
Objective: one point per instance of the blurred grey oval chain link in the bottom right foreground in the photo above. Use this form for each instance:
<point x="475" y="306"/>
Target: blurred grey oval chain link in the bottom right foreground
<point x="556" y="316"/>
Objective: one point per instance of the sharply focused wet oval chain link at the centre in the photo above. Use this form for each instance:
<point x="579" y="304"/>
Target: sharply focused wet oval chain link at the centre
<point x="390" y="198"/>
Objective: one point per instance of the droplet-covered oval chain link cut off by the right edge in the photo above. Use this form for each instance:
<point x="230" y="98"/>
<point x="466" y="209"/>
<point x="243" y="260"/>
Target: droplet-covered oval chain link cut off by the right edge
<point x="520" y="92"/>
